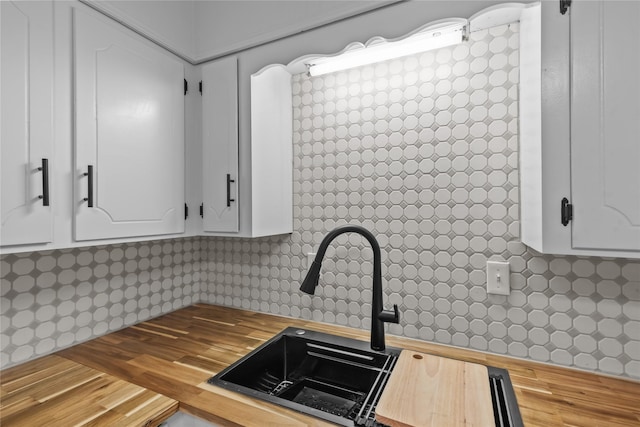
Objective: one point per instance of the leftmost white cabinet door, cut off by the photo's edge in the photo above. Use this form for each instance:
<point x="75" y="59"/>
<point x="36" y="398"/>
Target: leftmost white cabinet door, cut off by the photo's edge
<point x="26" y="121"/>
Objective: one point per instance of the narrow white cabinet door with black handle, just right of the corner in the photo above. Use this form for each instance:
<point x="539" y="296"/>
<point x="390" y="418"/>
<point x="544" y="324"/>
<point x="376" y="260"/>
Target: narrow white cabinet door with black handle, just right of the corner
<point x="220" y="145"/>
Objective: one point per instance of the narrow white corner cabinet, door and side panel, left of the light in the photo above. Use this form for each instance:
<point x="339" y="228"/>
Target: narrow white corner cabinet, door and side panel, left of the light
<point x="266" y="200"/>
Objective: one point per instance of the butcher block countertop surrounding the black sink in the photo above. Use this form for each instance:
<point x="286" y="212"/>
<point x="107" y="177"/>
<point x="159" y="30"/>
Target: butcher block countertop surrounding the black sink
<point x="172" y="356"/>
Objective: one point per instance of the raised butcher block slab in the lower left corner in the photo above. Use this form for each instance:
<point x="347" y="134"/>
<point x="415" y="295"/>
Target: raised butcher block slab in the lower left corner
<point x="53" y="391"/>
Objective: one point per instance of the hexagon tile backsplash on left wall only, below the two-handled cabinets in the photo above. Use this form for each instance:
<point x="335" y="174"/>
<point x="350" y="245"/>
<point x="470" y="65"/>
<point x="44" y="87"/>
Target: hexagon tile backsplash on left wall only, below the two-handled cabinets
<point x="52" y="300"/>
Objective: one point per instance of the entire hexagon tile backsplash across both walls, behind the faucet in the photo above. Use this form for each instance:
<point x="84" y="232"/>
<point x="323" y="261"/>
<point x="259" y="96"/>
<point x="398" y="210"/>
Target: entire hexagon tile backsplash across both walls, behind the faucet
<point x="423" y="151"/>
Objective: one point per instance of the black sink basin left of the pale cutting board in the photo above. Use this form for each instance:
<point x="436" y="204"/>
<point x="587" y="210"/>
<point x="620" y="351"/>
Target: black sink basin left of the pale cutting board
<point x="333" y="378"/>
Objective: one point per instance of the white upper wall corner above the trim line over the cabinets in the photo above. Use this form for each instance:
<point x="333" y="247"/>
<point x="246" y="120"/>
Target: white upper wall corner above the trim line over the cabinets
<point x="202" y="30"/>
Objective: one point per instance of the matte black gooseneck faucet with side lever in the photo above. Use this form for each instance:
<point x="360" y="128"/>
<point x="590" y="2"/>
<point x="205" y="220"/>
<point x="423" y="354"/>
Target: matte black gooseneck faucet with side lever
<point x="378" y="315"/>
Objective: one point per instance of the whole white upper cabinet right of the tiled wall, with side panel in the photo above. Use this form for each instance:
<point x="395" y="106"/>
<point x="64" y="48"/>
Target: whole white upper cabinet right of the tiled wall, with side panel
<point x="579" y="129"/>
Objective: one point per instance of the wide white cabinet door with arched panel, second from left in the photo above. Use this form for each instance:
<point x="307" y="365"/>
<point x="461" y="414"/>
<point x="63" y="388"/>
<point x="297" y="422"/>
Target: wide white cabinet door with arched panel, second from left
<point x="129" y="123"/>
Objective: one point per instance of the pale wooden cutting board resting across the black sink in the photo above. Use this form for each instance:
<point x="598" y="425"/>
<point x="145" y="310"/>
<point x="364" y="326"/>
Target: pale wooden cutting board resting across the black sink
<point x="433" y="391"/>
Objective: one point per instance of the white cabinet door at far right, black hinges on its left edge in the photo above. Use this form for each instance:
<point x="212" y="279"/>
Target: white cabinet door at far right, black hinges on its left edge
<point x="605" y="125"/>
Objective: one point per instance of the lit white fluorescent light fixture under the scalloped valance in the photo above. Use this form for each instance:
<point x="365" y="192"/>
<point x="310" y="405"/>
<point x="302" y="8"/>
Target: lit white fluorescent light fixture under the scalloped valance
<point x="420" y="42"/>
